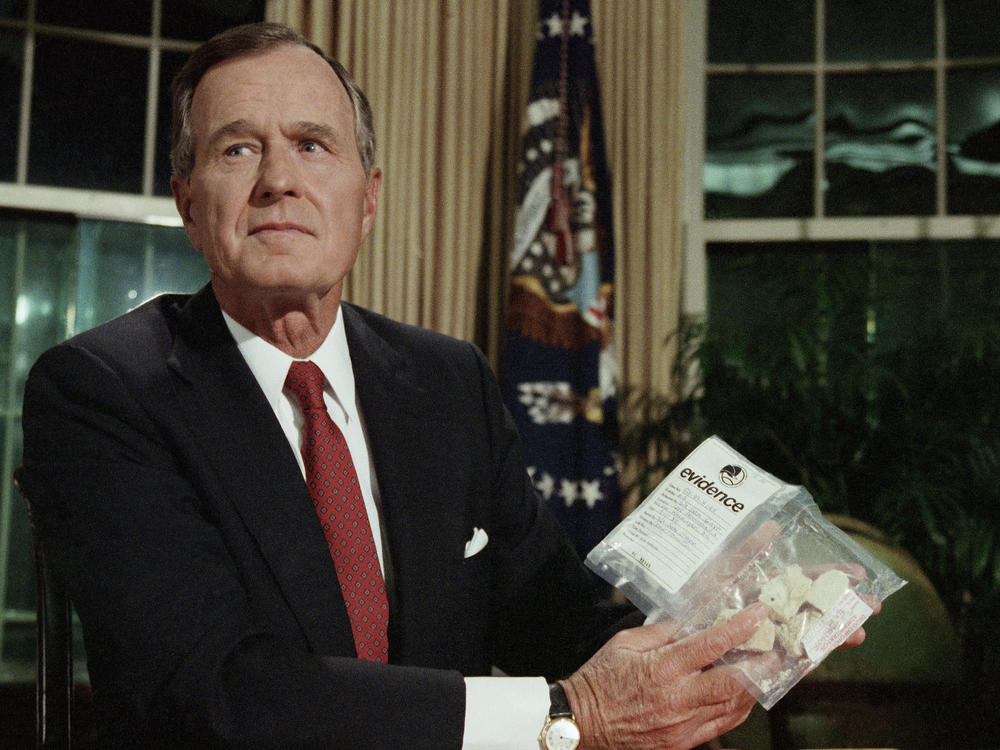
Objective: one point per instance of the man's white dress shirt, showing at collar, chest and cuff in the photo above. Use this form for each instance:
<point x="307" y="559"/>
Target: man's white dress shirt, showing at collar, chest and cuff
<point x="502" y="713"/>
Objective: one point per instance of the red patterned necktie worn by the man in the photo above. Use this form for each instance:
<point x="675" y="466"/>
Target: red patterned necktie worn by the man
<point x="333" y="484"/>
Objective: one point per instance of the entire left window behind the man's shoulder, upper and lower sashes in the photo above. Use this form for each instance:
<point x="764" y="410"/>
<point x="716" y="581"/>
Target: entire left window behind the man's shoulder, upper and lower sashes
<point x="87" y="227"/>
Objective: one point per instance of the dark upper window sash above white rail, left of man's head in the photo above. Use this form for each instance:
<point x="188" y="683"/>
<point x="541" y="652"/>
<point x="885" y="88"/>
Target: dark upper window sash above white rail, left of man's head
<point x="57" y="59"/>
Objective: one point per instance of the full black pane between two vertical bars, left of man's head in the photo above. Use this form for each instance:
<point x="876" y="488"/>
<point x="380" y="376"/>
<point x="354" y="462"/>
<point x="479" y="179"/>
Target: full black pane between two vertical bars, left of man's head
<point x="97" y="146"/>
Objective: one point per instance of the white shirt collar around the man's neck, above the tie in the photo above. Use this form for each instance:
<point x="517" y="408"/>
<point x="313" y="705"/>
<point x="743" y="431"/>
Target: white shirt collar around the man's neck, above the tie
<point x="269" y="364"/>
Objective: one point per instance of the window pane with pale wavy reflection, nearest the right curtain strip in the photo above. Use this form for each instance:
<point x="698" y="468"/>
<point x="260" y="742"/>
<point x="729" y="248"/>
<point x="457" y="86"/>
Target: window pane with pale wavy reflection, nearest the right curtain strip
<point x="759" y="152"/>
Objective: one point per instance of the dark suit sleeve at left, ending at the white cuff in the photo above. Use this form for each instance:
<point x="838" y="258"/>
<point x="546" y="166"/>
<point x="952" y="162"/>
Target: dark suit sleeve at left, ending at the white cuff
<point x="178" y="655"/>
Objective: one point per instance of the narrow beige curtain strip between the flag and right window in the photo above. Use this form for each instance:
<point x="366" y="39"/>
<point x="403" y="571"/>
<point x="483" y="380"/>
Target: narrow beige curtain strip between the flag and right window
<point x="639" y="58"/>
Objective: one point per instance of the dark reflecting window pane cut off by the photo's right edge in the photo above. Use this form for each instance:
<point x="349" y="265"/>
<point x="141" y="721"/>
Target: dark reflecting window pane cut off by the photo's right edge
<point x="974" y="141"/>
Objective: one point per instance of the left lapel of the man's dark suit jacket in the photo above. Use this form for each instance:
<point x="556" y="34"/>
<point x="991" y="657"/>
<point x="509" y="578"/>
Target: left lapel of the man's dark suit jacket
<point x="235" y="429"/>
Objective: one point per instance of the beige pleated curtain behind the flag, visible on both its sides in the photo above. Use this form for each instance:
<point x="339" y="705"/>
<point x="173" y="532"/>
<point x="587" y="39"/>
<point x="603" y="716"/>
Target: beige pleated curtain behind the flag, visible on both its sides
<point x="448" y="81"/>
